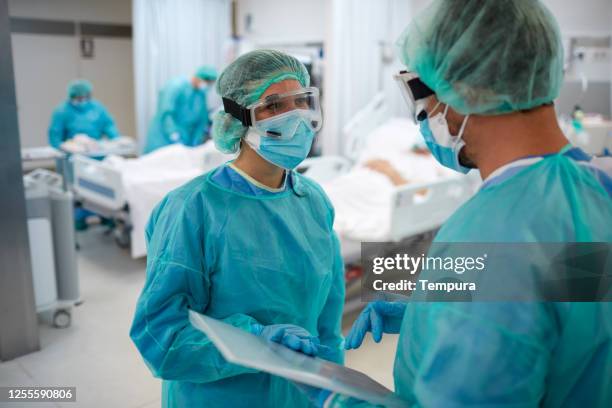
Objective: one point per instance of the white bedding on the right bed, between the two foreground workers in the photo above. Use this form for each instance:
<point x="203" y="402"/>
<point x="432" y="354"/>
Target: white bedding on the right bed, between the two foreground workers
<point x="362" y="198"/>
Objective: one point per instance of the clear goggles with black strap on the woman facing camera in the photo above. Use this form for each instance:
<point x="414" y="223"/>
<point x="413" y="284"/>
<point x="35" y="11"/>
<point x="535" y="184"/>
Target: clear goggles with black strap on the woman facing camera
<point x="272" y="106"/>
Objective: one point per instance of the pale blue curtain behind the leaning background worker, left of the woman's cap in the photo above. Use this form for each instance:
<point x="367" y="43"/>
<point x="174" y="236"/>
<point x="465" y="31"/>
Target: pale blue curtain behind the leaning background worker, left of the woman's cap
<point x="172" y="38"/>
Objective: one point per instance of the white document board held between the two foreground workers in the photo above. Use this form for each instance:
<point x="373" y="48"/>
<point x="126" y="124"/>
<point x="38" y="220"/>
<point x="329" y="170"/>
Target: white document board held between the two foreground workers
<point x="243" y="348"/>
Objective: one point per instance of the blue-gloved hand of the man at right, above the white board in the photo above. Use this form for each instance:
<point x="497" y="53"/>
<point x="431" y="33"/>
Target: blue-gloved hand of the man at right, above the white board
<point x="378" y="317"/>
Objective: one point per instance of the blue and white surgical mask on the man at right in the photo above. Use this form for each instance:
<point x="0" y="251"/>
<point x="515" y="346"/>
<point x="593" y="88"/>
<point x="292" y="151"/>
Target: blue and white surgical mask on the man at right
<point x="444" y="146"/>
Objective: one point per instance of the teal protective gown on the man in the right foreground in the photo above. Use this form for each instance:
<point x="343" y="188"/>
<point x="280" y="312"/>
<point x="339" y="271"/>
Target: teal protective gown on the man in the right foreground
<point x="515" y="354"/>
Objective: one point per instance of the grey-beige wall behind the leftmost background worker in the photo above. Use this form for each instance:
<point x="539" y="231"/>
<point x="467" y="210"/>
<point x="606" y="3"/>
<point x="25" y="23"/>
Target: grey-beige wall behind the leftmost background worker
<point x="45" y="63"/>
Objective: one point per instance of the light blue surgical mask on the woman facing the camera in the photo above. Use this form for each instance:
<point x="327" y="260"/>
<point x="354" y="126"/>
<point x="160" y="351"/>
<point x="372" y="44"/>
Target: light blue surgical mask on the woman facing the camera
<point x="291" y="142"/>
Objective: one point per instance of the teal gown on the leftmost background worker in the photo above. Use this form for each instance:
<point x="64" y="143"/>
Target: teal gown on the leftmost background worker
<point x="91" y="119"/>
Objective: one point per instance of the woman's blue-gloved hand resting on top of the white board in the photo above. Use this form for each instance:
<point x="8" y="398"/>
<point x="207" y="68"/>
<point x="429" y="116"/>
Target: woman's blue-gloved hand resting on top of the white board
<point x="291" y="336"/>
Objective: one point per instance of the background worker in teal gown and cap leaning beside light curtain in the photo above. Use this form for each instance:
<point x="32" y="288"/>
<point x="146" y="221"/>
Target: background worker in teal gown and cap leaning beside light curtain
<point x="182" y="111"/>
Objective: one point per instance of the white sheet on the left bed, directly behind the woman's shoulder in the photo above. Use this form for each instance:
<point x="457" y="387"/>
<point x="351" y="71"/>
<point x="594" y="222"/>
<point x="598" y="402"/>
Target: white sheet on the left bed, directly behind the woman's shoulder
<point x="147" y="180"/>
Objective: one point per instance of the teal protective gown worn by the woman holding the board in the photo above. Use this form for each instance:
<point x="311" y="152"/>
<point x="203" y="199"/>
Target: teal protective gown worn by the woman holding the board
<point x="217" y="247"/>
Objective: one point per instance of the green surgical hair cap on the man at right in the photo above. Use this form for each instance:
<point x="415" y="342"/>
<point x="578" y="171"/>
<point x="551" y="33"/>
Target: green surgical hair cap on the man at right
<point x="486" y="56"/>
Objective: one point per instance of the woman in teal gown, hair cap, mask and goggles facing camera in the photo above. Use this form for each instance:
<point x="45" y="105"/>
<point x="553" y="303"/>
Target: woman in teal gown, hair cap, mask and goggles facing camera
<point x="250" y="243"/>
